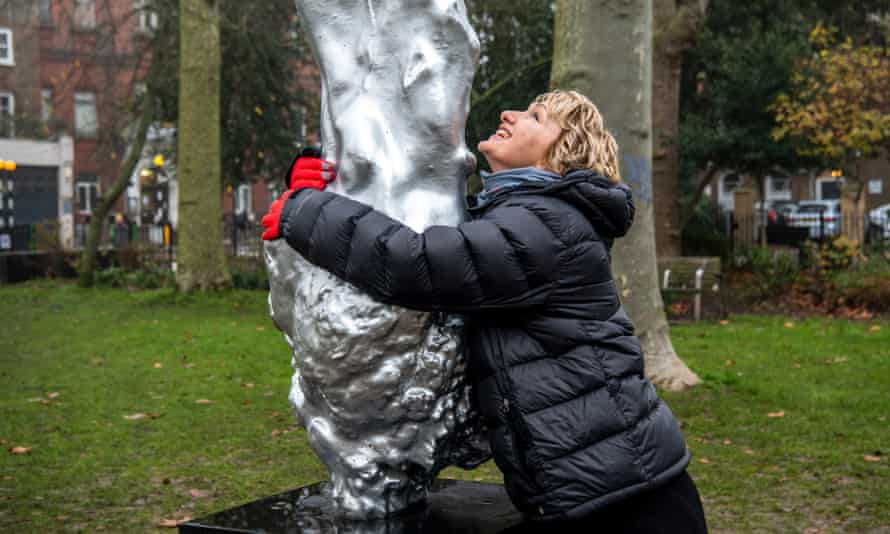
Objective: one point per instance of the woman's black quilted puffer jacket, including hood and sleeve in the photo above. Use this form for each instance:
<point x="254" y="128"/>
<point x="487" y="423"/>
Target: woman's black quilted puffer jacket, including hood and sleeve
<point x="574" y="425"/>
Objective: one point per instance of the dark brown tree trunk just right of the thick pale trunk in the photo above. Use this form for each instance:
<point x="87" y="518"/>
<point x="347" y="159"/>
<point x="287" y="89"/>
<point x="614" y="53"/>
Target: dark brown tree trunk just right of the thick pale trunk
<point x="676" y="25"/>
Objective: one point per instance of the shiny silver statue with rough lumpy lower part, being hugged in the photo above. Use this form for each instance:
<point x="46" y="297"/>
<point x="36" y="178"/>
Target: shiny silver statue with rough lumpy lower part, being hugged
<point x="382" y="389"/>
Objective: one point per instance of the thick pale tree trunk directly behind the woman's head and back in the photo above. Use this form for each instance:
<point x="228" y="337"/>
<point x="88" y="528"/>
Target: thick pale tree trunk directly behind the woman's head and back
<point x="603" y="48"/>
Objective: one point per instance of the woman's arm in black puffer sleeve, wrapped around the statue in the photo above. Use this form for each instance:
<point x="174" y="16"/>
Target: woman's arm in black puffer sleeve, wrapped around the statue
<point x="507" y="260"/>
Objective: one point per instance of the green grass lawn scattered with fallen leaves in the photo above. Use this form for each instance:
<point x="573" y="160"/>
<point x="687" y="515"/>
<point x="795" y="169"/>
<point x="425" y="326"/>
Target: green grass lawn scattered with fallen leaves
<point x="141" y="407"/>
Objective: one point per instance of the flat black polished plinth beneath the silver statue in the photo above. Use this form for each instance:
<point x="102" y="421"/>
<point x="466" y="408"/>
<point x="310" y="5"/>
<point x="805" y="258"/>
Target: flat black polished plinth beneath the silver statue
<point x="453" y="507"/>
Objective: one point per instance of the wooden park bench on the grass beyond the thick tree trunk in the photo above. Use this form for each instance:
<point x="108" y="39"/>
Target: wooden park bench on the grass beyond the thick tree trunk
<point x="691" y="275"/>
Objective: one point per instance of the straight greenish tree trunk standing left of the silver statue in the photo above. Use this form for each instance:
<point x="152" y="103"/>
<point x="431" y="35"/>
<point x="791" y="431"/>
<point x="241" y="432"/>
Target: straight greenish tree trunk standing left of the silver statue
<point x="200" y="258"/>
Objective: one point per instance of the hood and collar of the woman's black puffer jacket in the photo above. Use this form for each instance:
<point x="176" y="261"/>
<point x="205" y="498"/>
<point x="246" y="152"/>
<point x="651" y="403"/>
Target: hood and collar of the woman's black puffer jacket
<point x="609" y="207"/>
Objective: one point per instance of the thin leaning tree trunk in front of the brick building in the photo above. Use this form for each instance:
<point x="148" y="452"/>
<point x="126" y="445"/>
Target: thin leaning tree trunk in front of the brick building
<point x="87" y="265"/>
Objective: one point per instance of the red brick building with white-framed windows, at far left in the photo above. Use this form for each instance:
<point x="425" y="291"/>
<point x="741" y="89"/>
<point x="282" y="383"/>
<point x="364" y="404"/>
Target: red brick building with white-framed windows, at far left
<point x="68" y="70"/>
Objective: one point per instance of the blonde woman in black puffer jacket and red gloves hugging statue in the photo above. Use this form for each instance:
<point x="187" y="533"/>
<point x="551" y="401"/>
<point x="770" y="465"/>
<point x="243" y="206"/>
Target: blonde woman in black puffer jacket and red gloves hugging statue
<point x="578" y="432"/>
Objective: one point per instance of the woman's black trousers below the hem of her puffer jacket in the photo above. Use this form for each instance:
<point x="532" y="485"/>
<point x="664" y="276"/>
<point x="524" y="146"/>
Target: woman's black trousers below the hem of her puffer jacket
<point x="673" y="508"/>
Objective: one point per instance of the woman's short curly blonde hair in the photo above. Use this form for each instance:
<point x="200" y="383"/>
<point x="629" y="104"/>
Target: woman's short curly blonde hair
<point x="584" y="142"/>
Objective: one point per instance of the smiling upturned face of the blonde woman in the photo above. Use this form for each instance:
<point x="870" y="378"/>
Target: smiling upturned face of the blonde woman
<point x="523" y="139"/>
